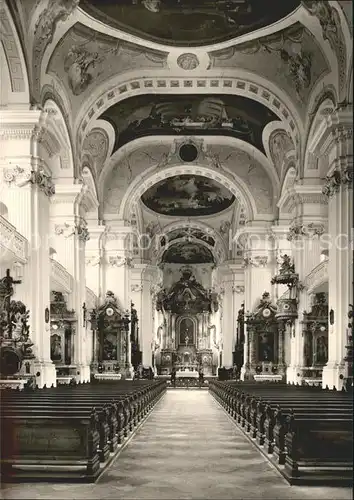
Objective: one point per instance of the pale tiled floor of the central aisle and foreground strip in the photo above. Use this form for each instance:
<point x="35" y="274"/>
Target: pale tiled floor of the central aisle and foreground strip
<point x="188" y="448"/>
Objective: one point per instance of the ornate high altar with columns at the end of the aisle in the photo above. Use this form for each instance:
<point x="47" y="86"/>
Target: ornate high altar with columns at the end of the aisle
<point x="186" y="338"/>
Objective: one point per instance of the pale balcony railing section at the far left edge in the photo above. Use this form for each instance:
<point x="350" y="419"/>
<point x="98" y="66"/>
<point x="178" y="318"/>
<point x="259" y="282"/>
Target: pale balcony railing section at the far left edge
<point x="13" y="246"/>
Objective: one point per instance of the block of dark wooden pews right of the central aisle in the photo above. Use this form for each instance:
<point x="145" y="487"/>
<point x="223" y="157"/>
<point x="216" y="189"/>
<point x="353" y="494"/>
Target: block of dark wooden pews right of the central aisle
<point x="306" y="432"/>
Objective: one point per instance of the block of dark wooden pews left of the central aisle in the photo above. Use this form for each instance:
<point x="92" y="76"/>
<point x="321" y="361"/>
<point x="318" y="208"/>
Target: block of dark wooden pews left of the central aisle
<point x="70" y="433"/>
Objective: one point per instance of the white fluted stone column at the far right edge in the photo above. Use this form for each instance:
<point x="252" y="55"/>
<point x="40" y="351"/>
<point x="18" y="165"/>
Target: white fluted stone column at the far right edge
<point x="339" y="190"/>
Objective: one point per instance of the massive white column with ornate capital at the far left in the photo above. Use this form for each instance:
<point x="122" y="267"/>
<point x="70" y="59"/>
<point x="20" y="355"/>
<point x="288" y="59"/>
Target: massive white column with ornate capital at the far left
<point x="26" y="190"/>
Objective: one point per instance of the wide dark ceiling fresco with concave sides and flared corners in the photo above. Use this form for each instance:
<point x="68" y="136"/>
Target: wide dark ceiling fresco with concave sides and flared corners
<point x="233" y="116"/>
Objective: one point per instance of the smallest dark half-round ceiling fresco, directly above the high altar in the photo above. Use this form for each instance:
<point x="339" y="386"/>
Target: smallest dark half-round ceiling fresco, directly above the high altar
<point x="187" y="253"/>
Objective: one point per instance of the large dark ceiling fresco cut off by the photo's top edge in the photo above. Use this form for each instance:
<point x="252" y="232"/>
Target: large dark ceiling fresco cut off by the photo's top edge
<point x="189" y="22"/>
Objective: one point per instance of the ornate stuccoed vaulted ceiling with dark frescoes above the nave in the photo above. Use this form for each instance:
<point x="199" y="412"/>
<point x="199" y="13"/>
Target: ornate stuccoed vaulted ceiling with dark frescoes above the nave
<point x="240" y="79"/>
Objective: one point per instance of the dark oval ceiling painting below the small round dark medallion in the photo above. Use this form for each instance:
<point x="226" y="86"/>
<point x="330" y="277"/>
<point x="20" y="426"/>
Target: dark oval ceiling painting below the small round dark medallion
<point x="188" y="196"/>
